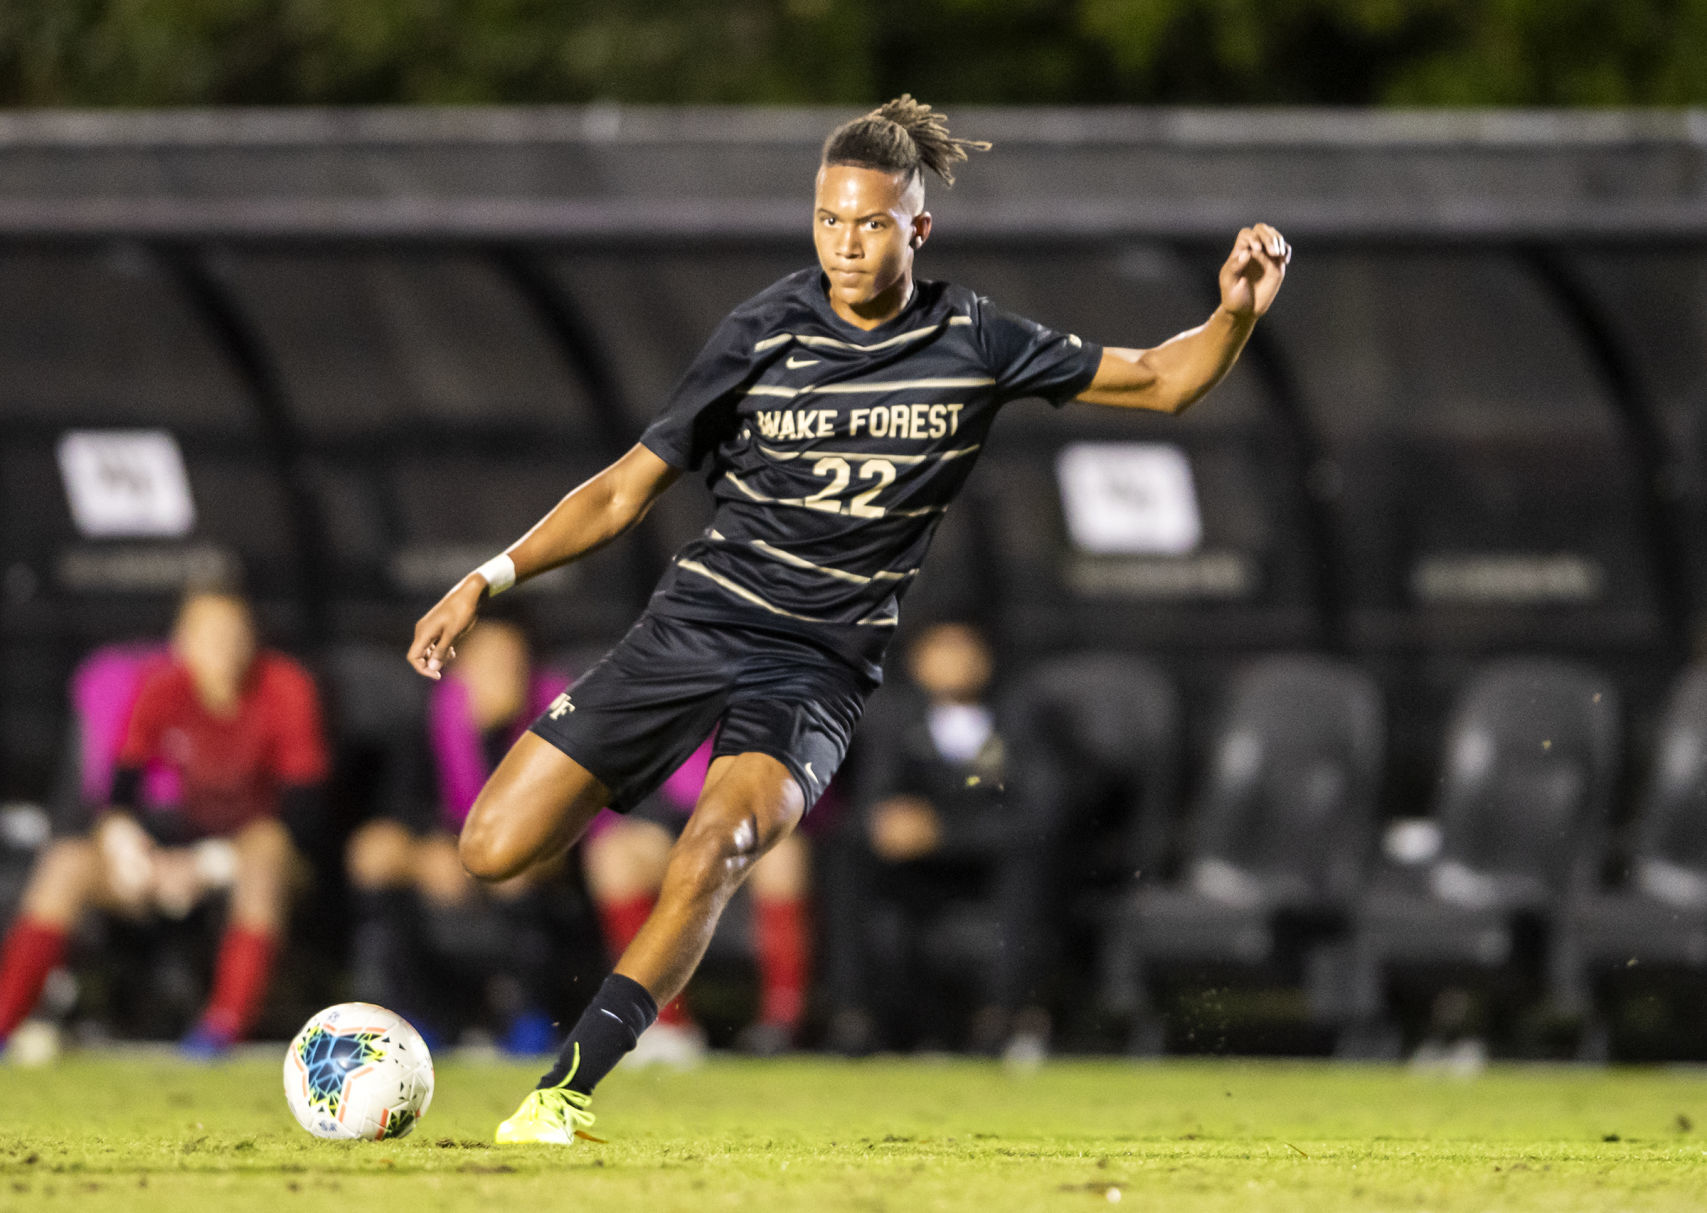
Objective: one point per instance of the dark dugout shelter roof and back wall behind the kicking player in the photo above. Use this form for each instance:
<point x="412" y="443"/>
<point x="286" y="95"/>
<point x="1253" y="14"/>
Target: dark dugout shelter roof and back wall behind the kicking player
<point x="388" y="340"/>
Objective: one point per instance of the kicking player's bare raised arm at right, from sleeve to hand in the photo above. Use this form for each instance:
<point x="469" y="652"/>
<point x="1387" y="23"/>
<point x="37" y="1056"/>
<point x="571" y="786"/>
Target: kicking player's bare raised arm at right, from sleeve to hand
<point x="1179" y="374"/>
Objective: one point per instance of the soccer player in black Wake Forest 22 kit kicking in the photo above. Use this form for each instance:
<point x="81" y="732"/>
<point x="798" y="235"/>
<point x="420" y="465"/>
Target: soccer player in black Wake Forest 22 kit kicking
<point x="836" y="417"/>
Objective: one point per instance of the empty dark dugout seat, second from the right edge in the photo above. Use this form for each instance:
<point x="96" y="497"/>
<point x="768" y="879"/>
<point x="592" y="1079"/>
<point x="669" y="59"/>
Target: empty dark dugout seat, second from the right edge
<point x="1525" y="799"/>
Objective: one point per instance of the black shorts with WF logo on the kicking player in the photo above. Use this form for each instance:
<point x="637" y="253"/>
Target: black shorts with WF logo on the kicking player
<point x="648" y="705"/>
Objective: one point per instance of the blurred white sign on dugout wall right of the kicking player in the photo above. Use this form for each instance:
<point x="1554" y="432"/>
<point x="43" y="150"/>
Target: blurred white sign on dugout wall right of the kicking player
<point x="1129" y="499"/>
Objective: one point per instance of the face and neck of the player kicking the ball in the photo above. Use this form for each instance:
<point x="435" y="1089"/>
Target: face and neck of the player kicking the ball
<point x="868" y="226"/>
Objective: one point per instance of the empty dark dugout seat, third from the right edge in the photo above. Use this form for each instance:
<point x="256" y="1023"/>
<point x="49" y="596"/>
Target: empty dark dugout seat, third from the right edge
<point x="1279" y="844"/>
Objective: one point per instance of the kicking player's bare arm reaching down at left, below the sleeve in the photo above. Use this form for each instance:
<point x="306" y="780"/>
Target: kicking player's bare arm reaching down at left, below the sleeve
<point x="590" y="518"/>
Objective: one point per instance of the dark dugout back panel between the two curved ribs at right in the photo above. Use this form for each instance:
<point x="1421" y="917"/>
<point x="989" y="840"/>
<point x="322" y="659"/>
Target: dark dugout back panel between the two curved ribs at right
<point x="1486" y="496"/>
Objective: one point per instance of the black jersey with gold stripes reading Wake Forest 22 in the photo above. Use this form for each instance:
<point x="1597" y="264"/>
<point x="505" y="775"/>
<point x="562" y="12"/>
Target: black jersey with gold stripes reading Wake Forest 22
<point x="834" y="451"/>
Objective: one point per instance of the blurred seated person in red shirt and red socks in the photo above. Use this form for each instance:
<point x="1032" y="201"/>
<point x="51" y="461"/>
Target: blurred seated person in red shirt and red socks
<point x="242" y="729"/>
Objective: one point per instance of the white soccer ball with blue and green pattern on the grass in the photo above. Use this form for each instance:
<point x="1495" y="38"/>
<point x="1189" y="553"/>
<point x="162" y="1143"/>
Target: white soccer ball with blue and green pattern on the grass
<point x="358" y="1072"/>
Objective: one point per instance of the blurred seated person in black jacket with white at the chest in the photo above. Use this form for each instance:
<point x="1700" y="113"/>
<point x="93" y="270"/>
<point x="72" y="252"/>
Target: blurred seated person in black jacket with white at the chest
<point x="941" y="871"/>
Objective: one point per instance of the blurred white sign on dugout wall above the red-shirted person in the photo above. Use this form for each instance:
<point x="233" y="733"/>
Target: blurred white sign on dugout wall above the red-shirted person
<point x="127" y="484"/>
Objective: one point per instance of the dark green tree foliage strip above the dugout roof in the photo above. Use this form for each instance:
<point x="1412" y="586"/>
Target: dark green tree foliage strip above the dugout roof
<point x="848" y="52"/>
